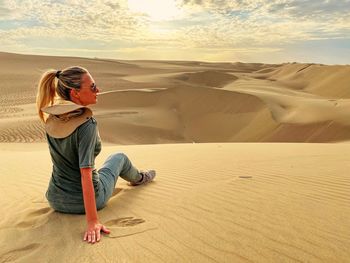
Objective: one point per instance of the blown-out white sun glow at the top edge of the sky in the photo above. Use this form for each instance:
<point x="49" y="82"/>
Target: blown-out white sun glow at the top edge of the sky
<point x="156" y="9"/>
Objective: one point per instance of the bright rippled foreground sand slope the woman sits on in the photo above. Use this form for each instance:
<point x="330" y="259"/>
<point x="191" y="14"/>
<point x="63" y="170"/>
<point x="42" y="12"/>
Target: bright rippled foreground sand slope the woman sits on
<point x="209" y="203"/>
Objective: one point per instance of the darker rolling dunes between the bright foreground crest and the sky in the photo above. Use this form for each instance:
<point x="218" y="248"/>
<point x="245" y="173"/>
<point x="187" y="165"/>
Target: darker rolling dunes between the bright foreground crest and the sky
<point x="172" y="101"/>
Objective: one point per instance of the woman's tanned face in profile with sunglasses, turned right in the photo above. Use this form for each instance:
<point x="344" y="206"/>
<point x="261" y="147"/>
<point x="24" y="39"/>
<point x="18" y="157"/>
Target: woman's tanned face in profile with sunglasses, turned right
<point x="87" y="94"/>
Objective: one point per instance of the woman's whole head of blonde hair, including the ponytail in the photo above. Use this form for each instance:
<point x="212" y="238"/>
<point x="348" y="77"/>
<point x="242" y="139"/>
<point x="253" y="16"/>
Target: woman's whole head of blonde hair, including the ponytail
<point x="49" y="88"/>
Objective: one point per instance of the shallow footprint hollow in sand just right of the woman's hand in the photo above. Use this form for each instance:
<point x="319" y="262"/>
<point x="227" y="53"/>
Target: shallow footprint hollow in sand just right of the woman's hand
<point x="127" y="226"/>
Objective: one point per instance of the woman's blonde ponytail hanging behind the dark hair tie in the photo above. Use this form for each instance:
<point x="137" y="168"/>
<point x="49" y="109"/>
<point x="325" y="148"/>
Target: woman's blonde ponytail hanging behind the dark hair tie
<point x="46" y="92"/>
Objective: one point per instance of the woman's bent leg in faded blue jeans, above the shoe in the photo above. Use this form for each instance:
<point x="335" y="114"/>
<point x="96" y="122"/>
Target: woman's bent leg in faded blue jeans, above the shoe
<point x="117" y="165"/>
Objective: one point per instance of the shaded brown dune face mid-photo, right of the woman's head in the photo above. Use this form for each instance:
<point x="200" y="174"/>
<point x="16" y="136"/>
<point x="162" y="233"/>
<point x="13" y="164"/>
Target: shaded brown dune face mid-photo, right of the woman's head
<point x="169" y="115"/>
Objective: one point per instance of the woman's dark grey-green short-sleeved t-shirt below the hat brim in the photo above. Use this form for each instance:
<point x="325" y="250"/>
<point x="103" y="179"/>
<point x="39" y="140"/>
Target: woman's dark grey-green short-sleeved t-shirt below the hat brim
<point x="68" y="155"/>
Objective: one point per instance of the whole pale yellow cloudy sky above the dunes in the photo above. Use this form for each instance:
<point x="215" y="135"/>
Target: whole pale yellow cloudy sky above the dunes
<point x="269" y="31"/>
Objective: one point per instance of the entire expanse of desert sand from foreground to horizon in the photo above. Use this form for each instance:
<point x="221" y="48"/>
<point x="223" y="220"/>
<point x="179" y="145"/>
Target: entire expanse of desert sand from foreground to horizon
<point x="252" y="163"/>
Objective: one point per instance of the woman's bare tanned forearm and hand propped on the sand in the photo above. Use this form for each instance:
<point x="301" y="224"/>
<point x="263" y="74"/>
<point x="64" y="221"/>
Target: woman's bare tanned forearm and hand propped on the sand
<point x="92" y="234"/>
